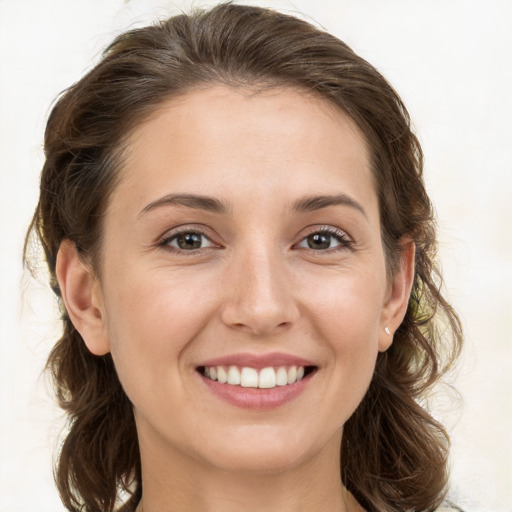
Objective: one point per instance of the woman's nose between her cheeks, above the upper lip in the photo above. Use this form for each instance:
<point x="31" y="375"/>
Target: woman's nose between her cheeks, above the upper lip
<point x="259" y="295"/>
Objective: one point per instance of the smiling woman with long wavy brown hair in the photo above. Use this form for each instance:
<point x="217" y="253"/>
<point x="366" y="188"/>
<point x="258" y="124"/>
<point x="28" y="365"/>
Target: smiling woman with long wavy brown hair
<point x="233" y="215"/>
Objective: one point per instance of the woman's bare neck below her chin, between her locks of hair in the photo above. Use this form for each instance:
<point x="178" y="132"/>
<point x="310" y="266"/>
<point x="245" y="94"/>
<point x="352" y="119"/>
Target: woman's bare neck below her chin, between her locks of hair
<point x="186" y="484"/>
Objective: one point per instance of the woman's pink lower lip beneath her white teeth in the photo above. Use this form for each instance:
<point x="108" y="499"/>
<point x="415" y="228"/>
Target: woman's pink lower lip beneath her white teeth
<point x="256" y="398"/>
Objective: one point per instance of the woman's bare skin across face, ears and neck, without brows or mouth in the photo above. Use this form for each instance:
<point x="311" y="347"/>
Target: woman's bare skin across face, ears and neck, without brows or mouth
<point x="255" y="286"/>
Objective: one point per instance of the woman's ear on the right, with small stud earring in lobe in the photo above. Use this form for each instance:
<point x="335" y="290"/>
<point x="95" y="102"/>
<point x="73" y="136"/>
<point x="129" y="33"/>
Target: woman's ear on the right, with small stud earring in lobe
<point x="398" y="293"/>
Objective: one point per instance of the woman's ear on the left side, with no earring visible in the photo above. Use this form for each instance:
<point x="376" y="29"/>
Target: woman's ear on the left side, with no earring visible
<point x="82" y="298"/>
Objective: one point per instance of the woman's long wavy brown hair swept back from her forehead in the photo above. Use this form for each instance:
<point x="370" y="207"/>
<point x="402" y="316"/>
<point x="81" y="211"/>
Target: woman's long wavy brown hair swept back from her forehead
<point x="394" y="453"/>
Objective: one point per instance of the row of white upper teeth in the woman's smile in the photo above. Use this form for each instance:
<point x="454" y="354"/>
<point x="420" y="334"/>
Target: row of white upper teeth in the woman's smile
<point x="249" y="378"/>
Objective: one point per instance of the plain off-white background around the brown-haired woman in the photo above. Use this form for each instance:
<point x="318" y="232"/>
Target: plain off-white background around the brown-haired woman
<point x="451" y="62"/>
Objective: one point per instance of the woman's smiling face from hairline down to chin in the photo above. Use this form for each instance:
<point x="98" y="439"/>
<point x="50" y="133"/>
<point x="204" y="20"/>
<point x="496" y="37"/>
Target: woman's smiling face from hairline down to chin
<point x="244" y="233"/>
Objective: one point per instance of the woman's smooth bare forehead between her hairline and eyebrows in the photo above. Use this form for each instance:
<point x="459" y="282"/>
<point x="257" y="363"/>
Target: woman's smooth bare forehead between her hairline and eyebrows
<point x="238" y="143"/>
